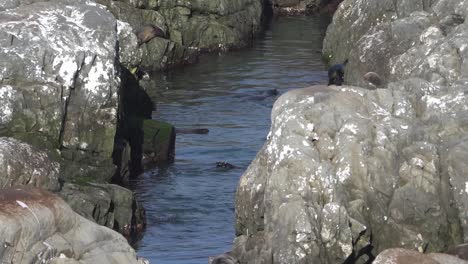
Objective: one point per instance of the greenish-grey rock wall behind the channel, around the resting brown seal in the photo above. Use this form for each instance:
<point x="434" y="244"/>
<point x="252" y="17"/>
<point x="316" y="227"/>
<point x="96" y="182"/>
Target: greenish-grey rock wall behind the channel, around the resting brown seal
<point x="192" y="26"/>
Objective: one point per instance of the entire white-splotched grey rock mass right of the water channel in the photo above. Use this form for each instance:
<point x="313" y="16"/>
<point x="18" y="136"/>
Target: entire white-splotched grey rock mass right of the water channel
<point x="347" y="172"/>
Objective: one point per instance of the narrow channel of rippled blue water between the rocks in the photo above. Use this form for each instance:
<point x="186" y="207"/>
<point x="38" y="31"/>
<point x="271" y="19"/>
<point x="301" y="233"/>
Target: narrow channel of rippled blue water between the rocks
<point x="190" y="204"/>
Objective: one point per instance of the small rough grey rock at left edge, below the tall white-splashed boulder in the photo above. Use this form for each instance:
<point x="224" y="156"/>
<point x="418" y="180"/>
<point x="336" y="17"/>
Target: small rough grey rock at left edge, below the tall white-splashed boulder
<point x="22" y="164"/>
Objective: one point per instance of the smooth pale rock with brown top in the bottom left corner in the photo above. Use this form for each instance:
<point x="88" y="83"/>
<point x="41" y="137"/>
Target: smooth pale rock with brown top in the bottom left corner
<point x="39" y="227"/>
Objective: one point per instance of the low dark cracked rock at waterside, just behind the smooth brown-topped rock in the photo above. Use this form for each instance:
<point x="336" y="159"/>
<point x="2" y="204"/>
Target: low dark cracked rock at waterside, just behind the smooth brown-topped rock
<point x="108" y="205"/>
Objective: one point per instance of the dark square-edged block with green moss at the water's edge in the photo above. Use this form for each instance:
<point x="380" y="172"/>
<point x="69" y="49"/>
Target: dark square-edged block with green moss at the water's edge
<point x="158" y="140"/>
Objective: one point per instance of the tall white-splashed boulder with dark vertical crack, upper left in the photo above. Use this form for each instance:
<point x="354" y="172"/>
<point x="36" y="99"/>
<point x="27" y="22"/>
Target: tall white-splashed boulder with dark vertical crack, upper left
<point x="59" y="81"/>
